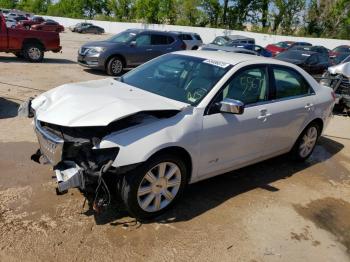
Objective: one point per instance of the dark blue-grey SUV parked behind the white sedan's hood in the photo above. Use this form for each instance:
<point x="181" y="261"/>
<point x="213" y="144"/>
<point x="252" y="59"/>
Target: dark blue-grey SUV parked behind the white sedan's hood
<point x="128" y="49"/>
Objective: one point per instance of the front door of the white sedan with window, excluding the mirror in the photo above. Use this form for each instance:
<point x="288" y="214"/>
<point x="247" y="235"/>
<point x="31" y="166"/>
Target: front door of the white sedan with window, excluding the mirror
<point x="230" y="140"/>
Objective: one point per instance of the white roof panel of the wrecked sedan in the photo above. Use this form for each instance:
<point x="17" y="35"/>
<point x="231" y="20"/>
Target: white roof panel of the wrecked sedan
<point x="230" y="57"/>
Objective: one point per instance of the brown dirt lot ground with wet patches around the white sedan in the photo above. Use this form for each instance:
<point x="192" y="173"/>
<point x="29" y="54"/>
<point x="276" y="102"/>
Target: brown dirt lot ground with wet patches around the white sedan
<point x="274" y="211"/>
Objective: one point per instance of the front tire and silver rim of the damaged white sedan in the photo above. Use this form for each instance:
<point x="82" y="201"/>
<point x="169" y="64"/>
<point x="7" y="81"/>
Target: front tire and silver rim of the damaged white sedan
<point x="159" y="196"/>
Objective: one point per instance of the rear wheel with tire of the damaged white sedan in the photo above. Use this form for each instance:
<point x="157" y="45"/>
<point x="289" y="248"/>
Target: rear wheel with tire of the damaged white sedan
<point x="306" y="142"/>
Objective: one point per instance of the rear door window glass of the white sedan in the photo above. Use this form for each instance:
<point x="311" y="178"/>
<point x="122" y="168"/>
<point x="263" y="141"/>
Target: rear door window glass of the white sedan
<point x="290" y="83"/>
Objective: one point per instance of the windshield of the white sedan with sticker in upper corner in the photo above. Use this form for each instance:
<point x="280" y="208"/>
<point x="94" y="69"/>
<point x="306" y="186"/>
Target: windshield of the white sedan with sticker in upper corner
<point x="183" y="78"/>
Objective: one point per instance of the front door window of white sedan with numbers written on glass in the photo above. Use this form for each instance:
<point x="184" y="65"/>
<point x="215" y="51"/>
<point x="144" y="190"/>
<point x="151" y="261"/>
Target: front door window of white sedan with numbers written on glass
<point x="249" y="86"/>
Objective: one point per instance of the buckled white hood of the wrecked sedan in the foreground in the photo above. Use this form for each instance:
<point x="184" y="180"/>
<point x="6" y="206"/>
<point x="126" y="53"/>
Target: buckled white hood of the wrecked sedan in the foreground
<point x="97" y="103"/>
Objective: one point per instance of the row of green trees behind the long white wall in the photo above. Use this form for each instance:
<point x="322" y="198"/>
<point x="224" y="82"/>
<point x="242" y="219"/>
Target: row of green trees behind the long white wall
<point x="316" y="18"/>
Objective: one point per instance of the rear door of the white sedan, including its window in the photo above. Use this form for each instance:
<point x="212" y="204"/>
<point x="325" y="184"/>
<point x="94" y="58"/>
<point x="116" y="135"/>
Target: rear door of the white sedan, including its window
<point x="291" y="109"/>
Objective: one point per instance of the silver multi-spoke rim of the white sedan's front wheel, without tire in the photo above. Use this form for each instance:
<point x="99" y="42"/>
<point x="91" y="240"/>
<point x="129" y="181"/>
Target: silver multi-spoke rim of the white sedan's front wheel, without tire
<point x="159" y="187"/>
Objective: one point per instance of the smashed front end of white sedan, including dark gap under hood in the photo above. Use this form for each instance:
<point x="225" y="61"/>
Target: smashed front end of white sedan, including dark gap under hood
<point x="76" y="156"/>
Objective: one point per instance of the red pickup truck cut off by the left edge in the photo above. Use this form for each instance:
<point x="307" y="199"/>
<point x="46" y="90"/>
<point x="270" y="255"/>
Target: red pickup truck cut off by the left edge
<point x="29" y="44"/>
